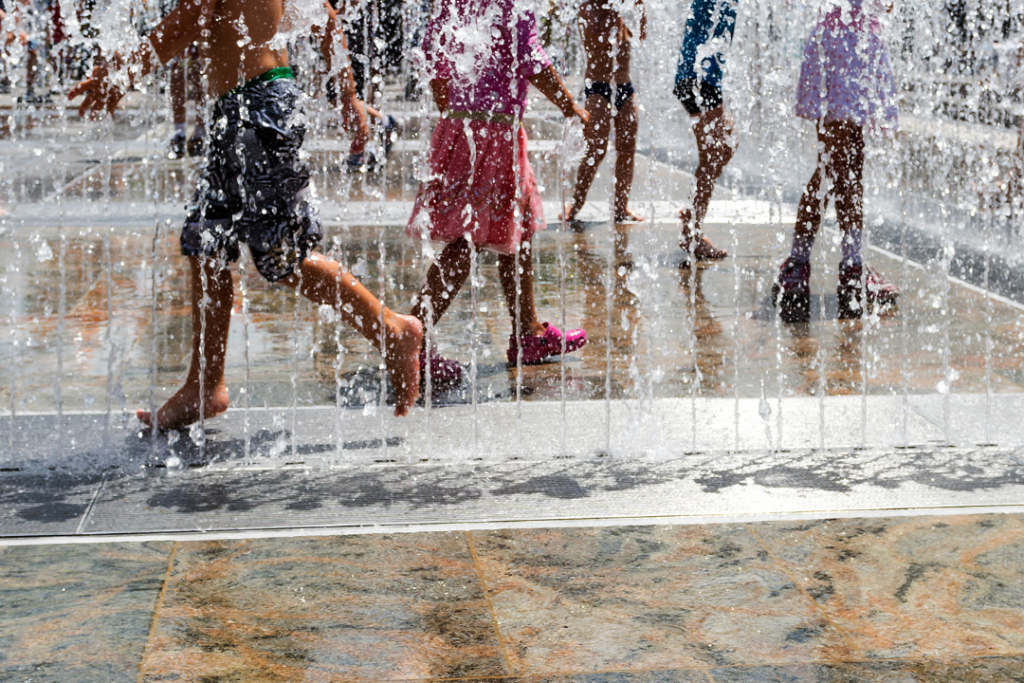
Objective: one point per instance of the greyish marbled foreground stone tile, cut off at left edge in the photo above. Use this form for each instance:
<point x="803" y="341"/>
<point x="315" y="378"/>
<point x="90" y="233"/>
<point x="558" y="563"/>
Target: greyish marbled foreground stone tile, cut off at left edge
<point x="77" y="613"/>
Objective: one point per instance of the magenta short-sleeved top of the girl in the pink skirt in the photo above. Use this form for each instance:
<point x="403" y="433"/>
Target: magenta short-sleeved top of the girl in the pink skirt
<point x="488" y="50"/>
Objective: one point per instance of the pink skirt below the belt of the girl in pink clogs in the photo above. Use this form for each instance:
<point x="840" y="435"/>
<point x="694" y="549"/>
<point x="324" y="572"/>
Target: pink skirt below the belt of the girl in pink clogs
<point x="472" y="192"/>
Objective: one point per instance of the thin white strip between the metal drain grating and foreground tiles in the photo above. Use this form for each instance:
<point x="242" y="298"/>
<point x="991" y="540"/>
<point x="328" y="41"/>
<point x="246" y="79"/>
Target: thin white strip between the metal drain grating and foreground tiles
<point x="430" y="528"/>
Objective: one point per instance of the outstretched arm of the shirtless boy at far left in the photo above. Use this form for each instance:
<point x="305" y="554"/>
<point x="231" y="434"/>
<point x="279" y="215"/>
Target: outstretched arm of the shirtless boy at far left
<point x="179" y="30"/>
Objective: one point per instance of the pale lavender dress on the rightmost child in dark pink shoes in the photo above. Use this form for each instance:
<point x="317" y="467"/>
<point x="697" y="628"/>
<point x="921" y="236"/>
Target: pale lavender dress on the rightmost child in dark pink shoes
<point x="846" y="74"/>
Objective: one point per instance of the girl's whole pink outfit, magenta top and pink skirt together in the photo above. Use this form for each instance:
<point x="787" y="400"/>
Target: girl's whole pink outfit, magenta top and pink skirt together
<point x="481" y="184"/>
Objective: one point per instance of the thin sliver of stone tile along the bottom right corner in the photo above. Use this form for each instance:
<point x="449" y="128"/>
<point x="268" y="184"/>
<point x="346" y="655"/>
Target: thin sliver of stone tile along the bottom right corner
<point x="984" y="670"/>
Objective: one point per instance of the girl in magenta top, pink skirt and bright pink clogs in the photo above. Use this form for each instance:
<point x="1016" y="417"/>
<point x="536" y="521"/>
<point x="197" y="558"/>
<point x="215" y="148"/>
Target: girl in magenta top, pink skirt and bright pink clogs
<point x="482" y="56"/>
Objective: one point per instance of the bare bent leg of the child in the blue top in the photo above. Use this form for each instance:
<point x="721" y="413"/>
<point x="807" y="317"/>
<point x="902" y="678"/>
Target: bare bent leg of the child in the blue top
<point x="712" y="132"/>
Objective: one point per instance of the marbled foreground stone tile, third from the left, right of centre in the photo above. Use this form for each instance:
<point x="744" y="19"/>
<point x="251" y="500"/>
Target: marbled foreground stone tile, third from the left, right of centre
<point x="636" y="599"/>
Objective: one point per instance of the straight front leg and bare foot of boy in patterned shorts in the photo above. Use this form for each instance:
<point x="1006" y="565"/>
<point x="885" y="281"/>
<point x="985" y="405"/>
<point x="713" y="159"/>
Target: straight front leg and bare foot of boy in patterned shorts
<point x="209" y="347"/>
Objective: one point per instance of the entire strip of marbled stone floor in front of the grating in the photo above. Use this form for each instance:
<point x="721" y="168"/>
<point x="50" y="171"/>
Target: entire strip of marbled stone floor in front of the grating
<point x="866" y="601"/>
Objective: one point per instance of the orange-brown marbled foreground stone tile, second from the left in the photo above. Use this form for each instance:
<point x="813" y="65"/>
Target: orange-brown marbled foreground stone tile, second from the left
<point x="367" y="608"/>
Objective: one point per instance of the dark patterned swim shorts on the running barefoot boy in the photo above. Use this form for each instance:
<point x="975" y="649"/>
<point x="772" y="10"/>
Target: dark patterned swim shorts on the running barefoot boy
<point x="253" y="186"/>
